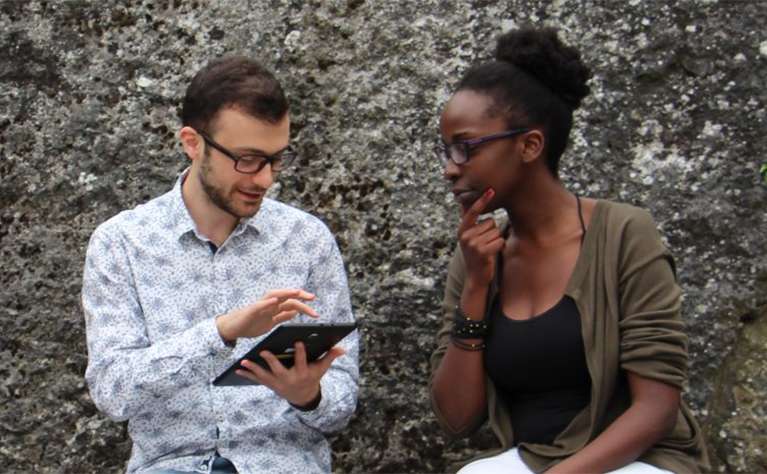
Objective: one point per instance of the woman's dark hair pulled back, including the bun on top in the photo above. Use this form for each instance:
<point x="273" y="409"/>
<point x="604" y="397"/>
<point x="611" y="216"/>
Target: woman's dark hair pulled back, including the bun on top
<point x="535" y="80"/>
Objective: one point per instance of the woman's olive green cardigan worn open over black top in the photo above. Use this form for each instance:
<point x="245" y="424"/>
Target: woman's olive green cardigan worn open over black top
<point x="625" y="288"/>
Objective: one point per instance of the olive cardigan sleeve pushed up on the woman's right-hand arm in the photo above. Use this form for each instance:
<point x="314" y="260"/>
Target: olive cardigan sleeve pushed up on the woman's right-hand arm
<point x="653" y="343"/>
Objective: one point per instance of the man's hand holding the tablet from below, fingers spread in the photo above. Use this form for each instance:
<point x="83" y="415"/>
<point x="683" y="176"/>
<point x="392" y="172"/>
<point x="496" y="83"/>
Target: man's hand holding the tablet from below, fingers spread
<point x="300" y="384"/>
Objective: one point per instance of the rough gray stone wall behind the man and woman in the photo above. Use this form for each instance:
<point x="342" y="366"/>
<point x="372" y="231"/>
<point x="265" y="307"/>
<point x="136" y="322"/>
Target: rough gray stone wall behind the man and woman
<point x="88" y="102"/>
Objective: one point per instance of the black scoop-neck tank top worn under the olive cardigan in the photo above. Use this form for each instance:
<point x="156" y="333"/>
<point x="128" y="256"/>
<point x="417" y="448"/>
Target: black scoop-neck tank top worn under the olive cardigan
<point x="539" y="367"/>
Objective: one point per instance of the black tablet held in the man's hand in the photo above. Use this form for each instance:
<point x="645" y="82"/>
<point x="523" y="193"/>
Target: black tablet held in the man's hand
<point x="317" y="338"/>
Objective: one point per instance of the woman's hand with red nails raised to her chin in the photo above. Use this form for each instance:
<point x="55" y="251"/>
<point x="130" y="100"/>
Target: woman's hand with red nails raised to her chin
<point x="480" y="242"/>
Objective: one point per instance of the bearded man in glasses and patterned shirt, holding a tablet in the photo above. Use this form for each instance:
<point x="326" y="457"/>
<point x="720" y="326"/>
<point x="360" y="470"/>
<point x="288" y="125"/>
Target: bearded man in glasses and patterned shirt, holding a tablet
<point x="176" y="290"/>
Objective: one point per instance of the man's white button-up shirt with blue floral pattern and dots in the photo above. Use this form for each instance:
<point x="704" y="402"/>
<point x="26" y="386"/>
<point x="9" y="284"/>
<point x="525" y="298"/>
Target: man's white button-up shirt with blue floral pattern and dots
<point x="152" y="288"/>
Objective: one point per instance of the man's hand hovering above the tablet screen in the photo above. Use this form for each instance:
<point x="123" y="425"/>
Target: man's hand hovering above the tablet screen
<point x="276" y="307"/>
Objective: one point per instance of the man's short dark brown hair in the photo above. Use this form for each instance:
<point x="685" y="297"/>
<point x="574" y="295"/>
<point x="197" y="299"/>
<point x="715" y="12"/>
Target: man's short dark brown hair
<point x="233" y="81"/>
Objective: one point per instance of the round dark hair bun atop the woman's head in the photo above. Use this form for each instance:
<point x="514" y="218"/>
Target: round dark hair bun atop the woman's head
<point x="540" y="53"/>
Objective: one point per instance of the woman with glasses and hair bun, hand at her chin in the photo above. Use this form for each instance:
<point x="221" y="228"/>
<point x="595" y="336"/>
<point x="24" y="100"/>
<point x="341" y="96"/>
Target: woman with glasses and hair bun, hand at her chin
<point x="562" y="326"/>
